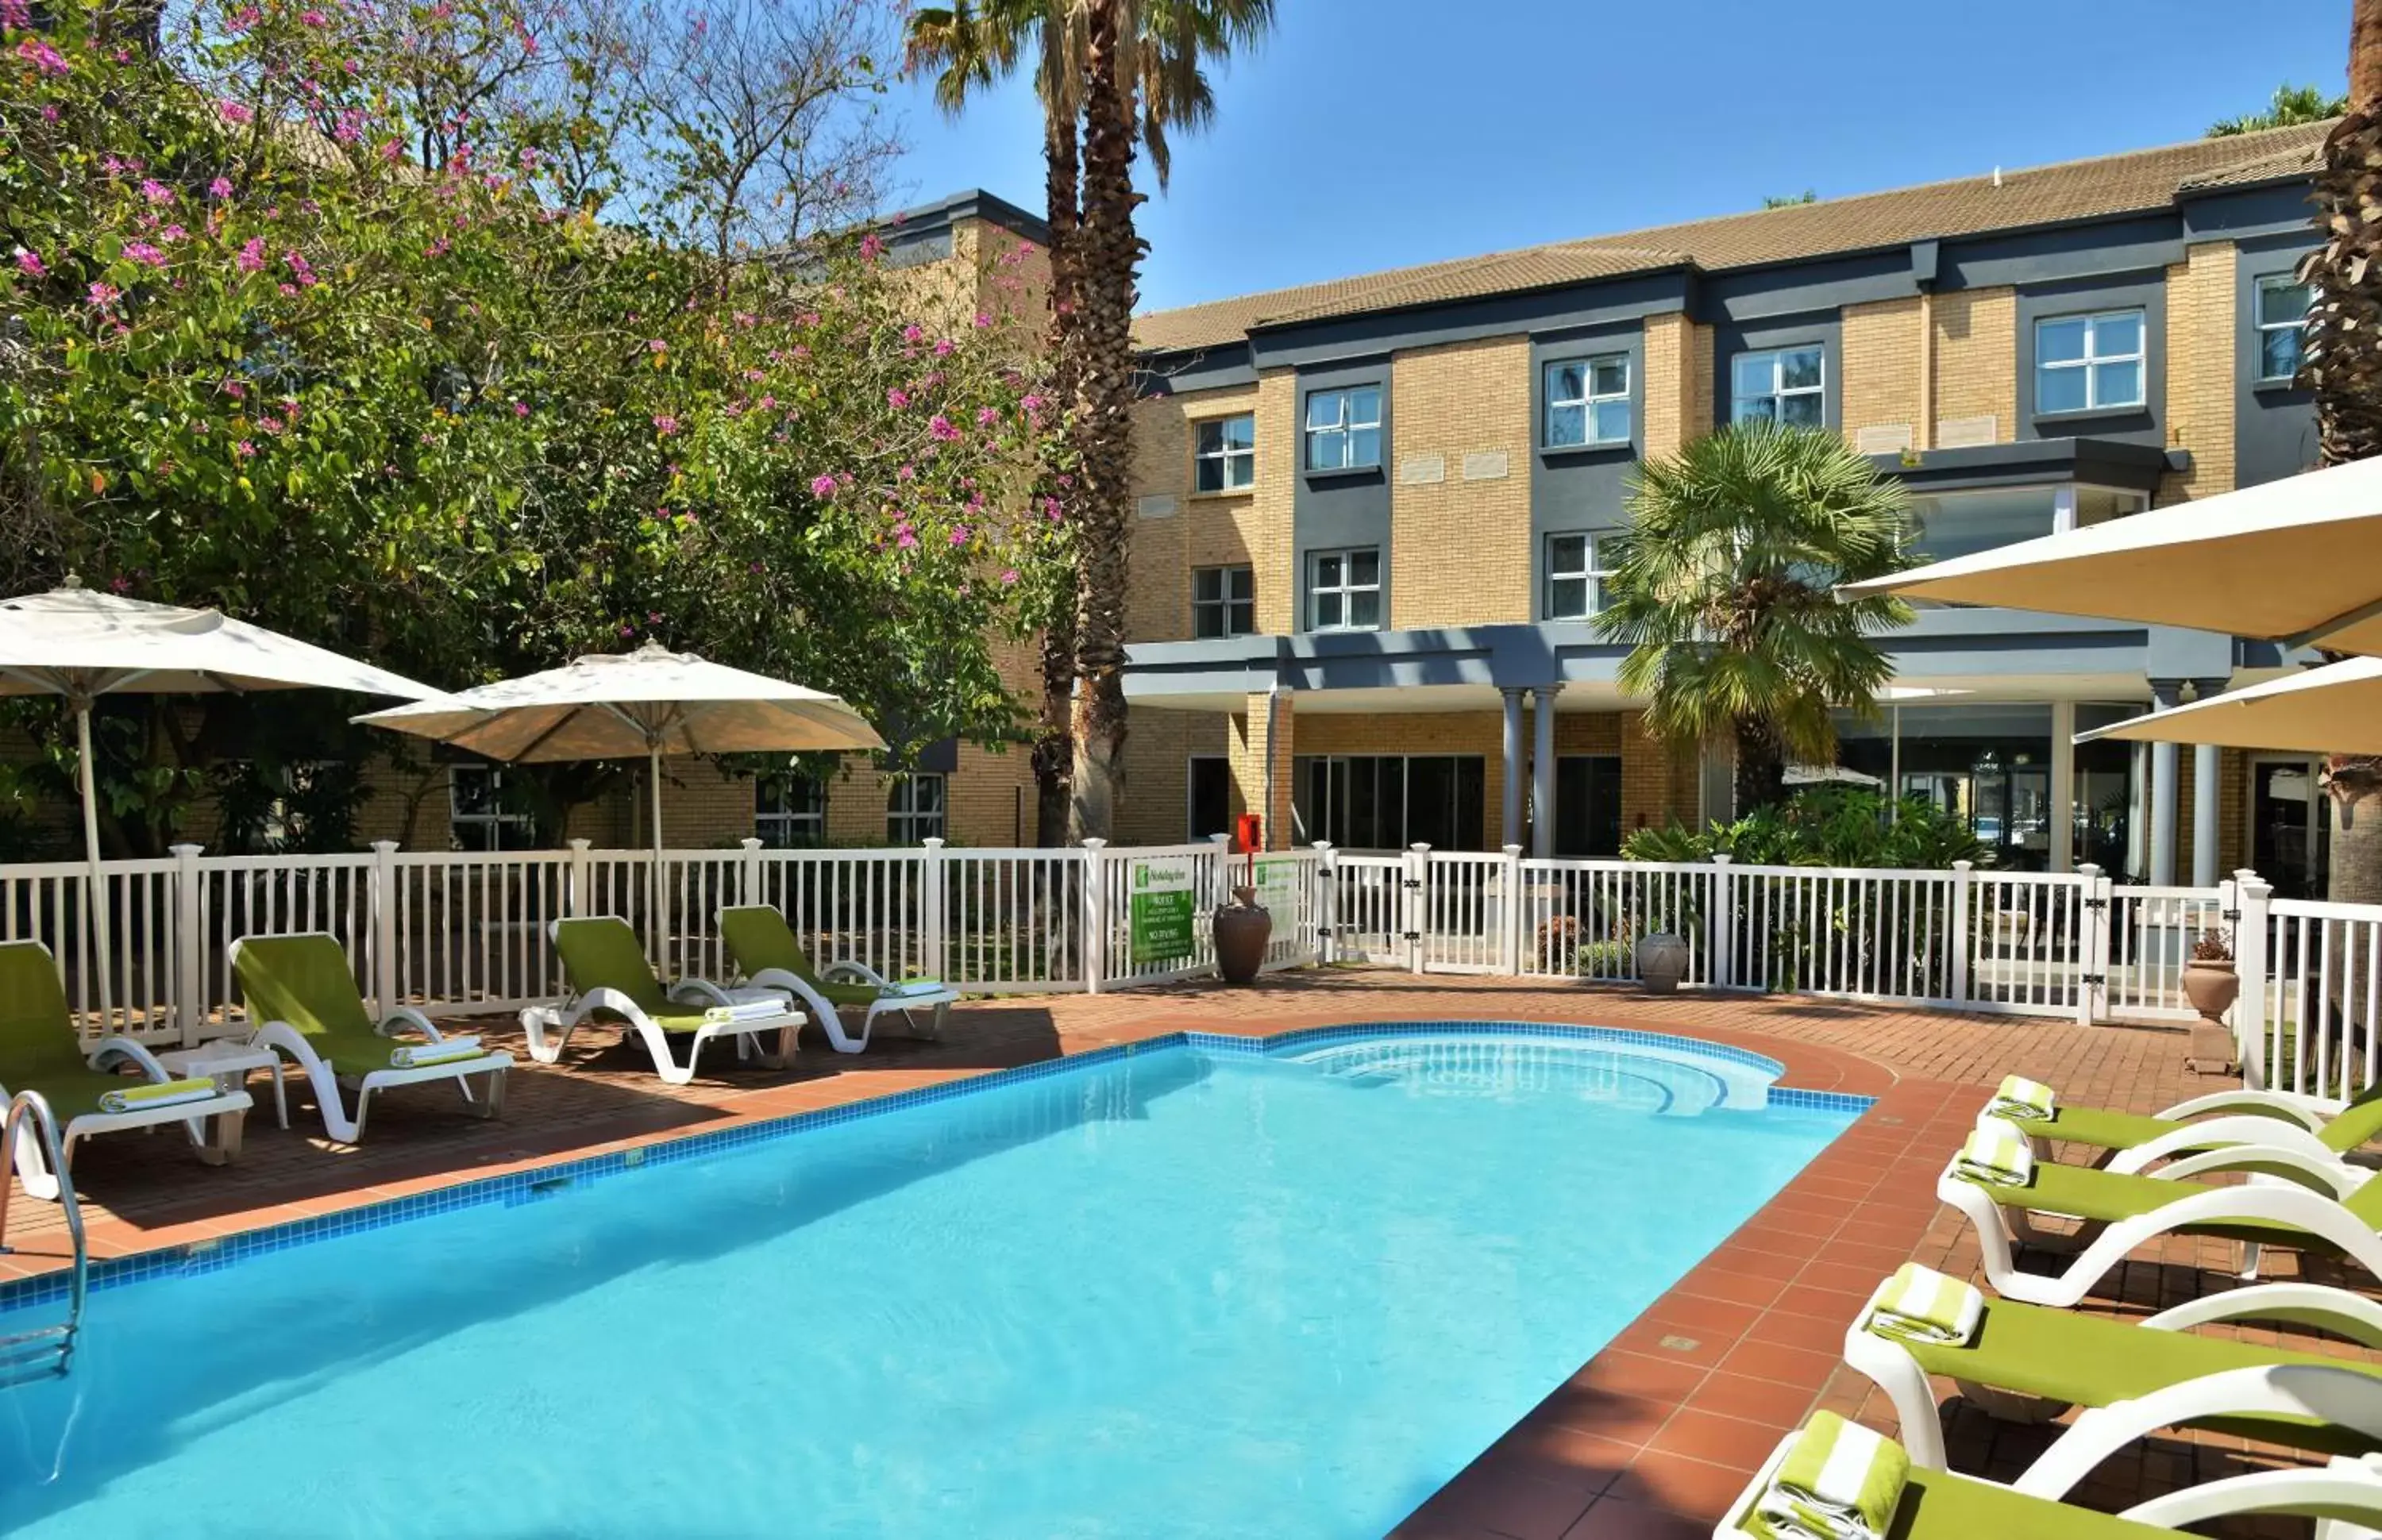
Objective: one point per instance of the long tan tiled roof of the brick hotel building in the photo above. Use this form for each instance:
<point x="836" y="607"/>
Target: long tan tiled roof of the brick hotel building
<point x="1971" y="206"/>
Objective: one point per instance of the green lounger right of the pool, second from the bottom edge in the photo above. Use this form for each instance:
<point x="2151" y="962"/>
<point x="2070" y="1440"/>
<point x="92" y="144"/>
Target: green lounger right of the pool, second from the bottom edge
<point x="2031" y="1360"/>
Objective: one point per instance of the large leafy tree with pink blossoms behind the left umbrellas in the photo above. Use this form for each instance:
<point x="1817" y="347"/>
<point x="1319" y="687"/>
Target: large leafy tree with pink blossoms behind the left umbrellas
<point x="261" y="356"/>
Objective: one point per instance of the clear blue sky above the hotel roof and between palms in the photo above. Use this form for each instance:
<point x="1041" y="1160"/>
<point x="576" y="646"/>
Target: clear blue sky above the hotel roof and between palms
<point x="1373" y="134"/>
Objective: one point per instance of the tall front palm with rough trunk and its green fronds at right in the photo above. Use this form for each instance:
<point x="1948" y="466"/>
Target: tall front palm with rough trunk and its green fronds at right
<point x="1145" y="70"/>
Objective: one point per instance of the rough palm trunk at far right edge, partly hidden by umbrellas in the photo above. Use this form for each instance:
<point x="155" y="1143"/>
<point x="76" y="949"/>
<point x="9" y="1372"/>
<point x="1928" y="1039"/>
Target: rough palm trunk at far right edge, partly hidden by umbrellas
<point x="2345" y="370"/>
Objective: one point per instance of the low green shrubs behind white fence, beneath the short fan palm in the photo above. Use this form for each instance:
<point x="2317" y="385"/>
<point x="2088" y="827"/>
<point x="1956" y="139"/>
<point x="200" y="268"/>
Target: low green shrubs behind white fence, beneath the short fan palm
<point x="1823" y="827"/>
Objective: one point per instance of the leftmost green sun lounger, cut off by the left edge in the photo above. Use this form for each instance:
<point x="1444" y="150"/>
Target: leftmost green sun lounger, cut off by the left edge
<point x="42" y="1051"/>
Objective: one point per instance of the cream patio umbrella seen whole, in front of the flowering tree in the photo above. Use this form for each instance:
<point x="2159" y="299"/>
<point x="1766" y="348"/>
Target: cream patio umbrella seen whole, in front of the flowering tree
<point x="618" y="706"/>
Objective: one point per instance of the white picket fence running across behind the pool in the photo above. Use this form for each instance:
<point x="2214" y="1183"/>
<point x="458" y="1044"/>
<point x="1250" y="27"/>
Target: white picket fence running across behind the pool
<point x="461" y="932"/>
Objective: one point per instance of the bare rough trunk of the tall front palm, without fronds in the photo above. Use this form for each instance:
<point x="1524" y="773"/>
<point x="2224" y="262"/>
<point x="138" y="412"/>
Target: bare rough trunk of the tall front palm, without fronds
<point x="1106" y="256"/>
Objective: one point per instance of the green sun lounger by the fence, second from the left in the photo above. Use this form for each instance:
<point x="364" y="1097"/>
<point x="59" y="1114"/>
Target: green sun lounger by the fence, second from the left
<point x="304" y="1001"/>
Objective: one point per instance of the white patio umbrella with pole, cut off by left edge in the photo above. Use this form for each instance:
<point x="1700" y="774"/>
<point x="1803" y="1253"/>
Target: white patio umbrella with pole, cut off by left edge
<point x="80" y="644"/>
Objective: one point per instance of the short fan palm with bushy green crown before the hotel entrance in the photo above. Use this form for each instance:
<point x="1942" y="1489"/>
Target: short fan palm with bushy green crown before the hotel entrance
<point x="1726" y="582"/>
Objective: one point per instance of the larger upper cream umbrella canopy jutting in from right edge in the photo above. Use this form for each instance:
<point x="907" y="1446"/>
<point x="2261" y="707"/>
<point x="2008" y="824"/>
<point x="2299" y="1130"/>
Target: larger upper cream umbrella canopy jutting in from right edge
<point x="2295" y="561"/>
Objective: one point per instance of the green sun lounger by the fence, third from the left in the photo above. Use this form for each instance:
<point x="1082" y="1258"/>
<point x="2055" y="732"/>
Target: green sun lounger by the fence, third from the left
<point x="613" y="982"/>
